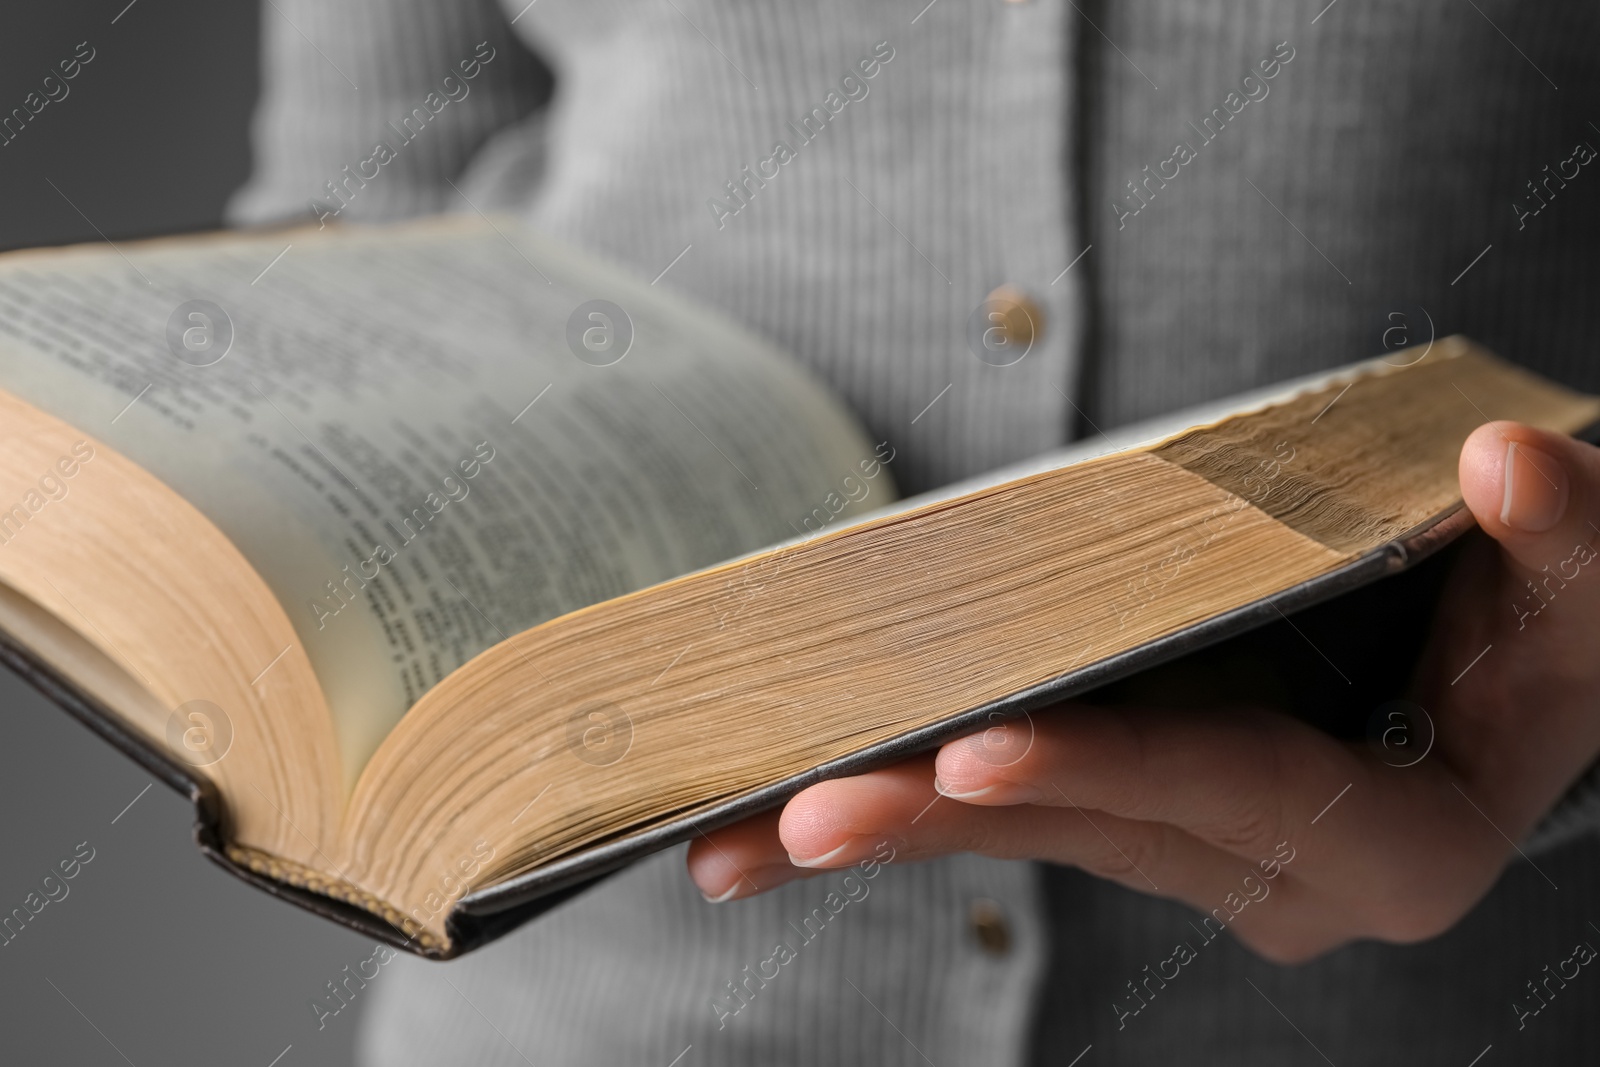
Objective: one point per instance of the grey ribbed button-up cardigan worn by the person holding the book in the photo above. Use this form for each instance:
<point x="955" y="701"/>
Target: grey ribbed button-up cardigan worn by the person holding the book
<point x="1201" y="196"/>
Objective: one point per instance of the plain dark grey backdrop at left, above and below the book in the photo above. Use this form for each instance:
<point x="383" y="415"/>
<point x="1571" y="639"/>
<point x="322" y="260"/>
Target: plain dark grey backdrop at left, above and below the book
<point x="156" y="956"/>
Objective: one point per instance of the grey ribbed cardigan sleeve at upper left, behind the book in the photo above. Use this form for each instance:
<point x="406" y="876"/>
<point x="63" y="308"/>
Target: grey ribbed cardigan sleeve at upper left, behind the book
<point x="370" y="110"/>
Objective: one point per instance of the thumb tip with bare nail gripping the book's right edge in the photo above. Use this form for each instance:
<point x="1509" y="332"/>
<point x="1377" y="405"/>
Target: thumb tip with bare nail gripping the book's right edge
<point x="1537" y="494"/>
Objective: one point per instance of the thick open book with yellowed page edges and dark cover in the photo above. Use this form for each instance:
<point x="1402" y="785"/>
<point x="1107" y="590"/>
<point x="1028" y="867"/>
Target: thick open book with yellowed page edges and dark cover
<point x="430" y="561"/>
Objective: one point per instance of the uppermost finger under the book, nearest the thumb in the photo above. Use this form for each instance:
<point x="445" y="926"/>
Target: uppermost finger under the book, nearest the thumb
<point x="1242" y="781"/>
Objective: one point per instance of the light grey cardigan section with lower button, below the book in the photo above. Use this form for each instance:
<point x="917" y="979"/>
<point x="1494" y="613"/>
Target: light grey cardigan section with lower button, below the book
<point x="631" y="972"/>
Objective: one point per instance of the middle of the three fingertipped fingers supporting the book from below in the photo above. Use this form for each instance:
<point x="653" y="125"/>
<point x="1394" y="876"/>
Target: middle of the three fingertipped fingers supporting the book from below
<point x="847" y="820"/>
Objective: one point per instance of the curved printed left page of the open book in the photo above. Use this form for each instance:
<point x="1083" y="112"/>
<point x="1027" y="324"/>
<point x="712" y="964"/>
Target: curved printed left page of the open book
<point x="430" y="438"/>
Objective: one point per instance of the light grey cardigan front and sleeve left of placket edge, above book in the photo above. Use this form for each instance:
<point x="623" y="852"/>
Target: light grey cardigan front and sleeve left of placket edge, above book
<point x="865" y="257"/>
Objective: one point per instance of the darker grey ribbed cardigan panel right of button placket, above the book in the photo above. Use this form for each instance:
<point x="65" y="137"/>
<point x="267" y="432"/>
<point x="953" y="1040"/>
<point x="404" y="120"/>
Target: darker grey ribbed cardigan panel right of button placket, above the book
<point x="1385" y="158"/>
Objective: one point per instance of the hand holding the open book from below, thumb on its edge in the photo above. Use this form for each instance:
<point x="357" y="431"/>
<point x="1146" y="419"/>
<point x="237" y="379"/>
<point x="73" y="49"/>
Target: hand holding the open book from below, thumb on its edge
<point x="1298" y="841"/>
